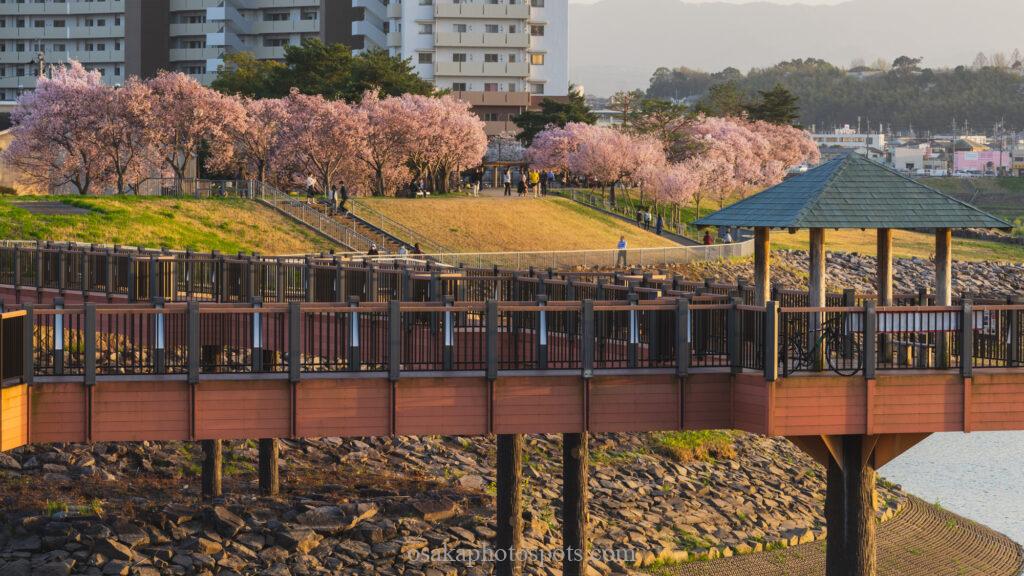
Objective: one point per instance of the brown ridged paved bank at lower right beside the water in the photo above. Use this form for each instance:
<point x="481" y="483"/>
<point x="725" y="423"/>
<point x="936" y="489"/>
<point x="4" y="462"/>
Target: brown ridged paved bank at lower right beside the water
<point x="921" y="542"/>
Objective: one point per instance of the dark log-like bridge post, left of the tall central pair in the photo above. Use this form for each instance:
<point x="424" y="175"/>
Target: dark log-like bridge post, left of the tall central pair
<point x="509" y="540"/>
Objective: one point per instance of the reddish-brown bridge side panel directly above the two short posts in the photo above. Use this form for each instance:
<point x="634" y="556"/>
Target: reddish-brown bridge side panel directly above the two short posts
<point x="243" y="409"/>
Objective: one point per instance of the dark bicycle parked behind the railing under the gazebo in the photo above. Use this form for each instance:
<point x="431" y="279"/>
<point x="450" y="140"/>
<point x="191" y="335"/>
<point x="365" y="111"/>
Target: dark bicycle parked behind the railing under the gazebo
<point x="840" y="345"/>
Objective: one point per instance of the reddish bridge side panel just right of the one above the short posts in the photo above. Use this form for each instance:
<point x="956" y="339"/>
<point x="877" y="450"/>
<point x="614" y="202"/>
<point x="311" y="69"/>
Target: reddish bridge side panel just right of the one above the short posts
<point x="350" y="407"/>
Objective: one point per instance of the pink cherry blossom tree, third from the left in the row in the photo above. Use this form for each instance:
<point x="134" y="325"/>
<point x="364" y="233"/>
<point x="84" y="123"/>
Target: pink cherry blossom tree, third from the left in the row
<point x="188" y="117"/>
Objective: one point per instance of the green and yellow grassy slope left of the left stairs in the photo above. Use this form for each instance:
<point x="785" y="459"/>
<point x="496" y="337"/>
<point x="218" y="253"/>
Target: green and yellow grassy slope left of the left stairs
<point x="227" y="225"/>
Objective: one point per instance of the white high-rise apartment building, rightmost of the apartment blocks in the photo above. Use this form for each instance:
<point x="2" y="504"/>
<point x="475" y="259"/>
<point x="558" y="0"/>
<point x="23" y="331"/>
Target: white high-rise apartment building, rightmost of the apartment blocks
<point x="501" y="56"/>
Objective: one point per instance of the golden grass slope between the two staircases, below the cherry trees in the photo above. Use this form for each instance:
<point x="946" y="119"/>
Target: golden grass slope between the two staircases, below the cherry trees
<point x="499" y="225"/>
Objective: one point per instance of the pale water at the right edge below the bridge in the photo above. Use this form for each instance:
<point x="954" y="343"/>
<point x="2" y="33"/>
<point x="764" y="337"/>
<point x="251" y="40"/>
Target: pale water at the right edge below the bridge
<point x="979" y="476"/>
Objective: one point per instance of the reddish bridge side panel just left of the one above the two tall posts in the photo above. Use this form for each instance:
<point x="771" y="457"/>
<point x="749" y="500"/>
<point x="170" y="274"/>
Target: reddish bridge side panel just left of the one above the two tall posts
<point x="442" y="406"/>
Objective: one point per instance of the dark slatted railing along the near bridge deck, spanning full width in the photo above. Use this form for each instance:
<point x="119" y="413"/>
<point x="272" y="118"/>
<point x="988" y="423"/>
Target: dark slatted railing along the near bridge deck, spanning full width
<point x="400" y="338"/>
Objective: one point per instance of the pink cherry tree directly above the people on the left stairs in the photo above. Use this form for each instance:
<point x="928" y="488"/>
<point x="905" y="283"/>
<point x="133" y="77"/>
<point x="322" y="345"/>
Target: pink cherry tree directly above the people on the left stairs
<point x="323" y="139"/>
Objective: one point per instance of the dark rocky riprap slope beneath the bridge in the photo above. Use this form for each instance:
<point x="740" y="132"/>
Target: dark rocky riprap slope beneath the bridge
<point x="383" y="506"/>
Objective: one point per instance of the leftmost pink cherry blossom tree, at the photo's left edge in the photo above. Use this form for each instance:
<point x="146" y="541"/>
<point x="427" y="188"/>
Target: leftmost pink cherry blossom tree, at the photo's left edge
<point x="55" y="129"/>
